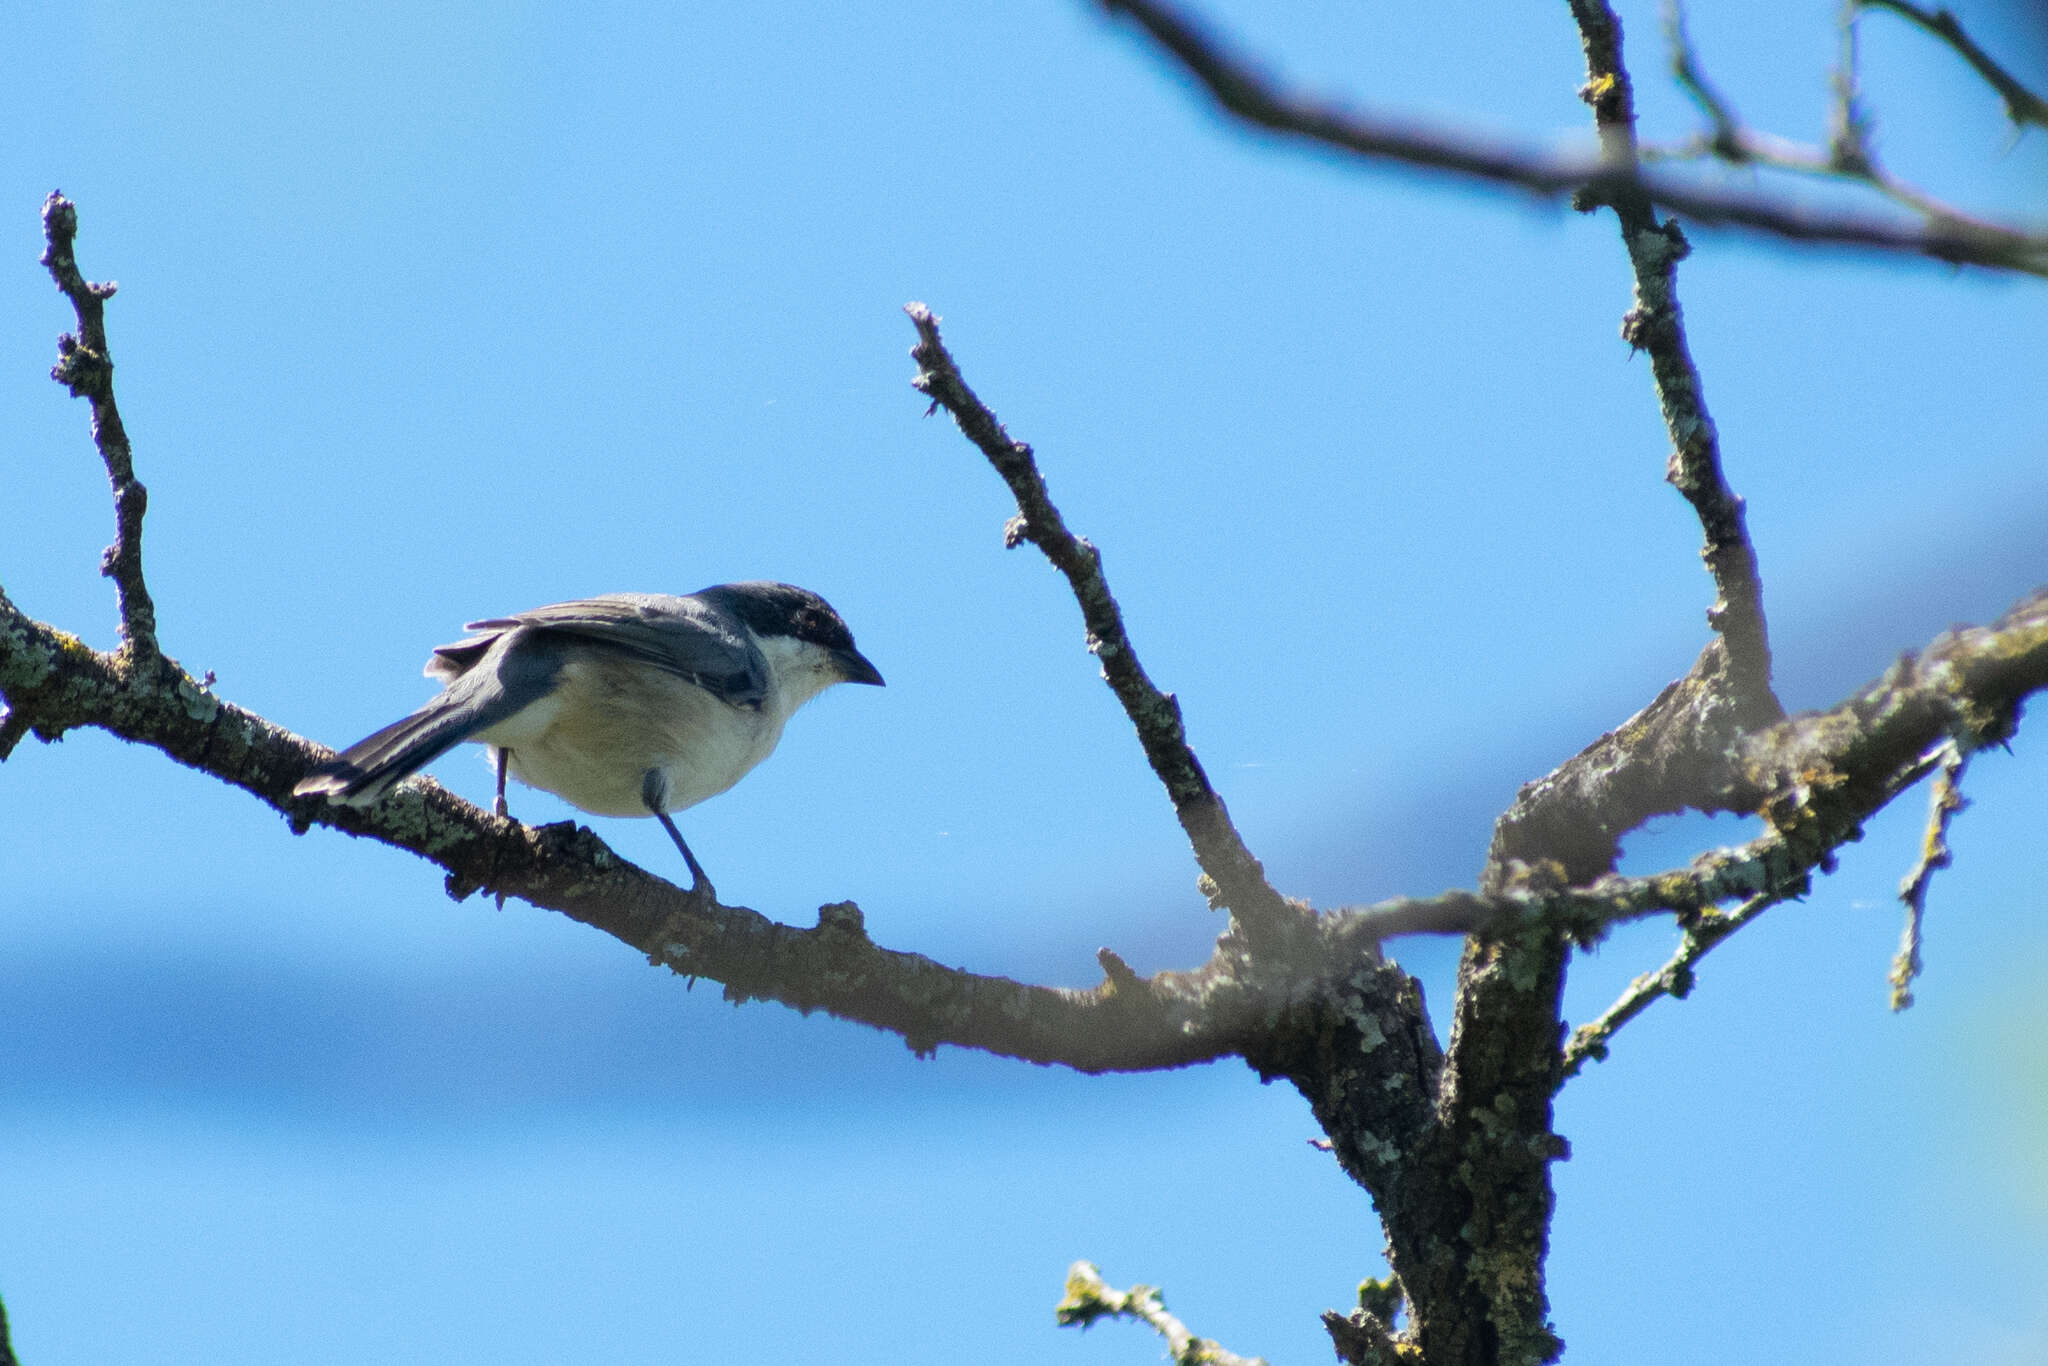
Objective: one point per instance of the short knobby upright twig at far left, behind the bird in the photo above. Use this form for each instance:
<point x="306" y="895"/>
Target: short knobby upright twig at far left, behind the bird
<point x="87" y="370"/>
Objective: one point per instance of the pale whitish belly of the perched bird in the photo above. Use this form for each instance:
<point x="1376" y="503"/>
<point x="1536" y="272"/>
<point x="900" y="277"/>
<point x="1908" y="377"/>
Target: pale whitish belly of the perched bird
<point x="607" y="722"/>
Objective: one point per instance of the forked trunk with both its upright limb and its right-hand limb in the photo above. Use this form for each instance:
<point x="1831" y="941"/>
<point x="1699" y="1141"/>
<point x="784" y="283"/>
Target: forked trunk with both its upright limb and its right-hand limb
<point x="1469" y="1209"/>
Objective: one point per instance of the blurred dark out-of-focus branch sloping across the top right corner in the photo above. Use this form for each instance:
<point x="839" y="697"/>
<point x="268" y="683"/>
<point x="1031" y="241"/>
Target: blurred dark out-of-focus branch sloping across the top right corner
<point x="1586" y="181"/>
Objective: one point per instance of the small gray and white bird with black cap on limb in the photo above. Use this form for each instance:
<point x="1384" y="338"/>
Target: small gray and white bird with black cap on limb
<point x="622" y="706"/>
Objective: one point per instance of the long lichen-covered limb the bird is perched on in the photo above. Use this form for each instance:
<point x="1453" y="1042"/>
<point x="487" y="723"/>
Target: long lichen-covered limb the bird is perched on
<point x="56" y="683"/>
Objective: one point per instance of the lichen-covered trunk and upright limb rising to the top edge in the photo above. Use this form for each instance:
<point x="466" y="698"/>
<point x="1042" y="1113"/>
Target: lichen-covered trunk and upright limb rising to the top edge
<point x="1471" y="1226"/>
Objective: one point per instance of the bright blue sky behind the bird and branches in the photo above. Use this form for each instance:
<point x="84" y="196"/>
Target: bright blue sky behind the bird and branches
<point x="433" y="312"/>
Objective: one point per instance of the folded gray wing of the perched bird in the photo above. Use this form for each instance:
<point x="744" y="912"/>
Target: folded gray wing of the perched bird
<point x="679" y="636"/>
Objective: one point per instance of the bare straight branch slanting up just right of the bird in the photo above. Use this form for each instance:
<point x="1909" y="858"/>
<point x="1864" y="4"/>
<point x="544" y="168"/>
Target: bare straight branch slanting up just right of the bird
<point x="1236" y="876"/>
